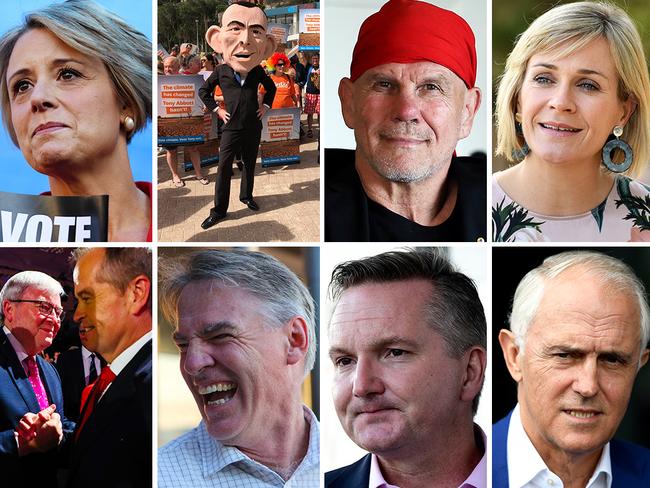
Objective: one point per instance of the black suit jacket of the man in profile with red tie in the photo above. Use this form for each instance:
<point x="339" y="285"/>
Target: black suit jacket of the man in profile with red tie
<point x="114" y="447"/>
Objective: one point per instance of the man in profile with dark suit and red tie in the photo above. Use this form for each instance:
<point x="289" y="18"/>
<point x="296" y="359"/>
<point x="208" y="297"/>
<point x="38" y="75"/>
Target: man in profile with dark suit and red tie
<point x="112" y="441"/>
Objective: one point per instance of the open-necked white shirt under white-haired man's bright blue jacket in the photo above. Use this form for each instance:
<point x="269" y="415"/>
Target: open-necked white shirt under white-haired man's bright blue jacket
<point x="526" y="468"/>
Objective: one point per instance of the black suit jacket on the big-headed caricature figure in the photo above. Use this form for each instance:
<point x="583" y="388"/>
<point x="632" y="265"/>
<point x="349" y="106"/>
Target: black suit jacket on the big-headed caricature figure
<point x="241" y="101"/>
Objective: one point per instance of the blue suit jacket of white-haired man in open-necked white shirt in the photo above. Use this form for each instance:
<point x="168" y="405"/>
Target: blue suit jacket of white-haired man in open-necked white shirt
<point x="630" y="463"/>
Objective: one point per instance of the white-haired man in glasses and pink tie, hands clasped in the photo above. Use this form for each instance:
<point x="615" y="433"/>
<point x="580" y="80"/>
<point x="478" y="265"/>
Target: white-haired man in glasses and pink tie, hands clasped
<point x="32" y="423"/>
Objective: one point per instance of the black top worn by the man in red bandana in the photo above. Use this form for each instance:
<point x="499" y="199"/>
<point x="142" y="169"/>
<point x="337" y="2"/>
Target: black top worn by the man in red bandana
<point x="351" y="216"/>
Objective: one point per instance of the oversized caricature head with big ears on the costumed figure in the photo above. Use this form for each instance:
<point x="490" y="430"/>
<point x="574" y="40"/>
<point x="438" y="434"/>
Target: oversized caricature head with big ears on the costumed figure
<point x="242" y="39"/>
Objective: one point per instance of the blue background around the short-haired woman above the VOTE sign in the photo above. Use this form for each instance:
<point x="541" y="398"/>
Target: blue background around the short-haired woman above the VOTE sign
<point x="18" y="176"/>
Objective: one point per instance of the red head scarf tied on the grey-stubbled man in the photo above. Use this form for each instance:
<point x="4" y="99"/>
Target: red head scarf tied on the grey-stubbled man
<point x="409" y="31"/>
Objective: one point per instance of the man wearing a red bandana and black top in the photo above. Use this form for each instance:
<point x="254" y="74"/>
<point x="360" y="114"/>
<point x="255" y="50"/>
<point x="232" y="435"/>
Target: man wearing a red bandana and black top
<point x="410" y="97"/>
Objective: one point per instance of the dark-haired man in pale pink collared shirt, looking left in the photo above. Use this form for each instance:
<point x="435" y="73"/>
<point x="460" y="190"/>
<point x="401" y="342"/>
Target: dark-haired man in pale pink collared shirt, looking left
<point x="408" y="345"/>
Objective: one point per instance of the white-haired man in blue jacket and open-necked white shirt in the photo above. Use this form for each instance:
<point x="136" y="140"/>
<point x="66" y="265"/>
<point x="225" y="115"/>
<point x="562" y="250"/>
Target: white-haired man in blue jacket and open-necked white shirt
<point x="578" y="336"/>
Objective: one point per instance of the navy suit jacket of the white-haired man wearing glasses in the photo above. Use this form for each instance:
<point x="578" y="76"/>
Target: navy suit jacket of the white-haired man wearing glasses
<point x="17" y="398"/>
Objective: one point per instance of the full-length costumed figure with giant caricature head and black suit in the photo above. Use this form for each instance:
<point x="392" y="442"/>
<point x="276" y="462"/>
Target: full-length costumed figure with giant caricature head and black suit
<point x="243" y="42"/>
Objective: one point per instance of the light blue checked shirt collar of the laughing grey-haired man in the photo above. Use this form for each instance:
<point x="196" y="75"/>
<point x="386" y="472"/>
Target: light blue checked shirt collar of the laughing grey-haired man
<point x="216" y="456"/>
